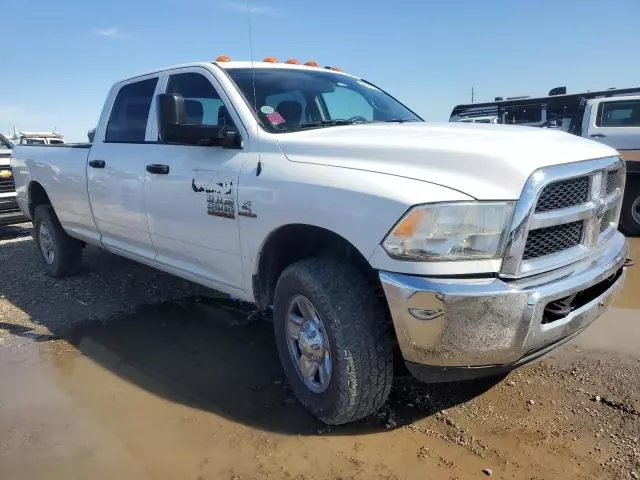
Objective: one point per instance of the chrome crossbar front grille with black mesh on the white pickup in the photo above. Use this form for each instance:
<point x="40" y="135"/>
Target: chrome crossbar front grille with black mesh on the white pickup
<point x="567" y="211"/>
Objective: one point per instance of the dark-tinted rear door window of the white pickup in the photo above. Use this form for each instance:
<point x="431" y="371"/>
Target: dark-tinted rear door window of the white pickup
<point x="130" y="112"/>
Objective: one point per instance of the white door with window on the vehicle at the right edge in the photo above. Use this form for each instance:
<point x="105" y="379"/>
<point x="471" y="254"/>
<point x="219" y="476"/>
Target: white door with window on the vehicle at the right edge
<point x="615" y="122"/>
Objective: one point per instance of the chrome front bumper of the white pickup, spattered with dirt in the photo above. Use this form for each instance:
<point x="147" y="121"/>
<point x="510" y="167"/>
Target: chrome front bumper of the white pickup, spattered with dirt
<point x="488" y="322"/>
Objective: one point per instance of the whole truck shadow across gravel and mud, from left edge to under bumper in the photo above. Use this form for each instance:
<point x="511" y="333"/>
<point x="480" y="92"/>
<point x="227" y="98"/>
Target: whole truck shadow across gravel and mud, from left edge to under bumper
<point x="194" y="349"/>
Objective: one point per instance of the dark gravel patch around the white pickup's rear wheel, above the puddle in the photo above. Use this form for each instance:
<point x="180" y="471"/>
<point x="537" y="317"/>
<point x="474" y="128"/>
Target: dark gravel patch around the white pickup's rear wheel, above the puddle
<point x="108" y="286"/>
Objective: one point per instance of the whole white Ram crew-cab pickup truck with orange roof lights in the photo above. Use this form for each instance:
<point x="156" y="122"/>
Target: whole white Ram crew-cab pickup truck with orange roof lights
<point x="362" y="230"/>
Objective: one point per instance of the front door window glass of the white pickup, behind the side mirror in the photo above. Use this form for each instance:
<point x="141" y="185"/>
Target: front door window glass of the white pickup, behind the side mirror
<point x="202" y="102"/>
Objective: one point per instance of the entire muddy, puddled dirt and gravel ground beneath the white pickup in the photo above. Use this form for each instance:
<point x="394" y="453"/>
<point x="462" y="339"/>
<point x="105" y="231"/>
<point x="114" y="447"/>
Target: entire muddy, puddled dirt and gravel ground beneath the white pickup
<point x="124" y="372"/>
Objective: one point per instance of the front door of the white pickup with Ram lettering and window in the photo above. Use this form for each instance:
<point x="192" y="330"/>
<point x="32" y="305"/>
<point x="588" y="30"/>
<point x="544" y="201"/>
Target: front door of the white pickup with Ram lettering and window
<point x="192" y="205"/>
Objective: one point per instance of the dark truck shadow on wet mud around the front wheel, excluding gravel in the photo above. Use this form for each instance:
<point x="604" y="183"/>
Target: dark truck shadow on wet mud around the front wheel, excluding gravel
<point x="202" y="353"/>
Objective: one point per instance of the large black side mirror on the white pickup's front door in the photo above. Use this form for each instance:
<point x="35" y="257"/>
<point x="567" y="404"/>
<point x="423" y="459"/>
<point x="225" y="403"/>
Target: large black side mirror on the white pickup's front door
<point x="173" y="125"/>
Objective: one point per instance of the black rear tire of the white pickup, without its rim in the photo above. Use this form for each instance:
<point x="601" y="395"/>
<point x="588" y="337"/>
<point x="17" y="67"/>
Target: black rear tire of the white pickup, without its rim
<point x="67" y="250"/>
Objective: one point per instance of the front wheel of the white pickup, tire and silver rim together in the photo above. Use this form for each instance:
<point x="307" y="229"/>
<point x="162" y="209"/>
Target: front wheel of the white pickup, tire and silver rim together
<point x="334" y="340"/>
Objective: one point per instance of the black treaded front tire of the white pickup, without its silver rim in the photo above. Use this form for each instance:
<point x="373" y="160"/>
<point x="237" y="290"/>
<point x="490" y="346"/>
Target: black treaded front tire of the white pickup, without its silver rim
<point x="359" y="335"/>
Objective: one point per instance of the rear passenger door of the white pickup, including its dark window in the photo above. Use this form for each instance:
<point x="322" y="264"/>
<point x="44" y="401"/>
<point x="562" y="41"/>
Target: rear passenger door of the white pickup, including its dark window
<point x="116" y="168"/>
